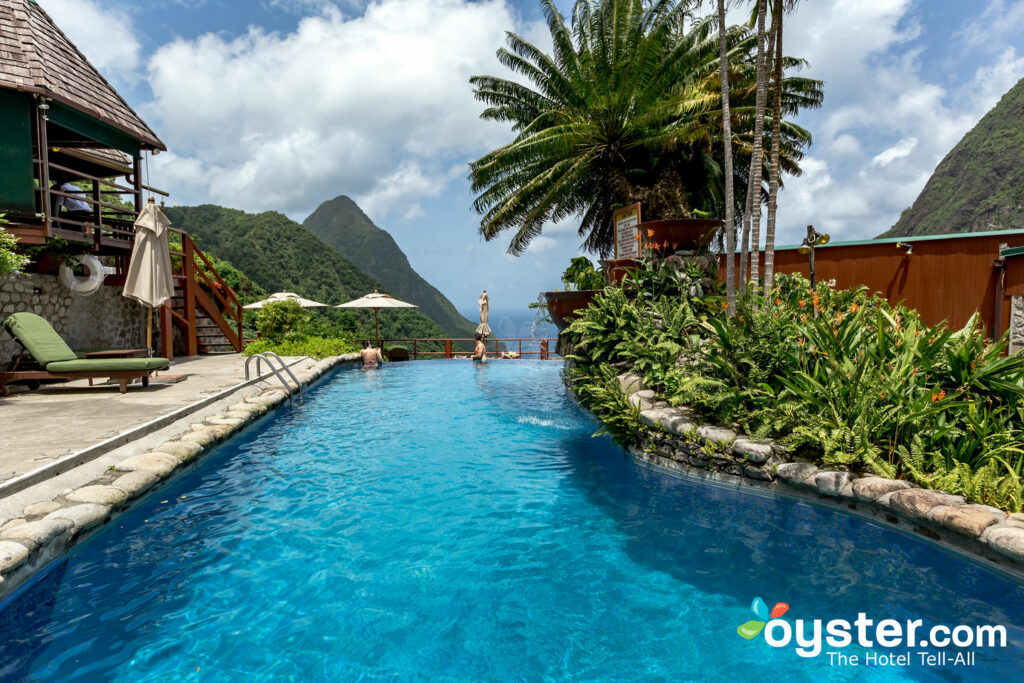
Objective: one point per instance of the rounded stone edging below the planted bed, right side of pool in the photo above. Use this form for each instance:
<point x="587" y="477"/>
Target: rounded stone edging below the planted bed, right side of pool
<point x="677" y="443"/>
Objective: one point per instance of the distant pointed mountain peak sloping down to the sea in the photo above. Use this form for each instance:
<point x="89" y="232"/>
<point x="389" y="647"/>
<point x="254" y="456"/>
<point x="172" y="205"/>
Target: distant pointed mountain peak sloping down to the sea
<point x="343" y="225"/>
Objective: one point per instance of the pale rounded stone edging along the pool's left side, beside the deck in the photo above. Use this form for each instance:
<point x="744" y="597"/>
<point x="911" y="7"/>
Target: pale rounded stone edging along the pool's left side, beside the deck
<point x="48" y="531"/>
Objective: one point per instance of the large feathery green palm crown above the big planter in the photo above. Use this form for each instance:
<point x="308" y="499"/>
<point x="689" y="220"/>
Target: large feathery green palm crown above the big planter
<point x="626" y="110"/>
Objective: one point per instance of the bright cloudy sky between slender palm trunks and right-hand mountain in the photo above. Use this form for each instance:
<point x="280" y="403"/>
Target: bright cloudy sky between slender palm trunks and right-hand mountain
<point x="887" y="120"/>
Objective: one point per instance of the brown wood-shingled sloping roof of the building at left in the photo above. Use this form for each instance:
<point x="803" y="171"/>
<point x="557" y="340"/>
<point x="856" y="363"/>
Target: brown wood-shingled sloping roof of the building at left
<point x="37" y="58"/>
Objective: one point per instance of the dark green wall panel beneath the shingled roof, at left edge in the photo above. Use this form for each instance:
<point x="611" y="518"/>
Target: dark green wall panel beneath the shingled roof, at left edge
<point x="18" y="192"/>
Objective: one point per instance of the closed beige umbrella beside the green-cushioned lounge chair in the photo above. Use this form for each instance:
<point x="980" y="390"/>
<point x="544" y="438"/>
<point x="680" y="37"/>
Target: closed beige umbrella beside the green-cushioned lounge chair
<point x="149" y="280"/>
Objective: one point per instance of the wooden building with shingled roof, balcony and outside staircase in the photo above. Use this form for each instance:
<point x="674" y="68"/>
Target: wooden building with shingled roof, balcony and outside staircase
<point x="72" y="167"/>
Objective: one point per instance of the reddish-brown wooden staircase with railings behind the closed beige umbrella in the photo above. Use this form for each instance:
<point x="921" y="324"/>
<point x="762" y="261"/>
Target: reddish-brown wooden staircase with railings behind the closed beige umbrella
<point x="218" y="301"/>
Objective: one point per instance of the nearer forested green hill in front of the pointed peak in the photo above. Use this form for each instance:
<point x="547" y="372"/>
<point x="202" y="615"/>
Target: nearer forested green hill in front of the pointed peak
<point x="279" y="254"/>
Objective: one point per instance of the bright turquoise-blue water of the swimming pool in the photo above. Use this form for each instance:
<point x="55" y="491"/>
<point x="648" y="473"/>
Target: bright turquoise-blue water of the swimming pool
<point x="454" y="522"/>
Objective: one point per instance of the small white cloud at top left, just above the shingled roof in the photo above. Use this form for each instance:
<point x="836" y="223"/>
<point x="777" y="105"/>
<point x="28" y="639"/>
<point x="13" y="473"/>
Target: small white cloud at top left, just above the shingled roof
<point x="106" y="36"/>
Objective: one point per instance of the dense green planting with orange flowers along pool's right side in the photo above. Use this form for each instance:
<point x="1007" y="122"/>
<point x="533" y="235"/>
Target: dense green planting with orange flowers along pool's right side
<point x="841" y="376"/>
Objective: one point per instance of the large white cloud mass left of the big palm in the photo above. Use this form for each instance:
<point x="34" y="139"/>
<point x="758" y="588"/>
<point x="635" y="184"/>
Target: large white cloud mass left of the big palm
<point x="378" y="107"/>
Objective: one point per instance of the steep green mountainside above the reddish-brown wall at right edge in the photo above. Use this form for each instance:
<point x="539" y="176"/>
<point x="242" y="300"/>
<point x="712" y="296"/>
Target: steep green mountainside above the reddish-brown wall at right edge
<point x="980" y="184"/>
